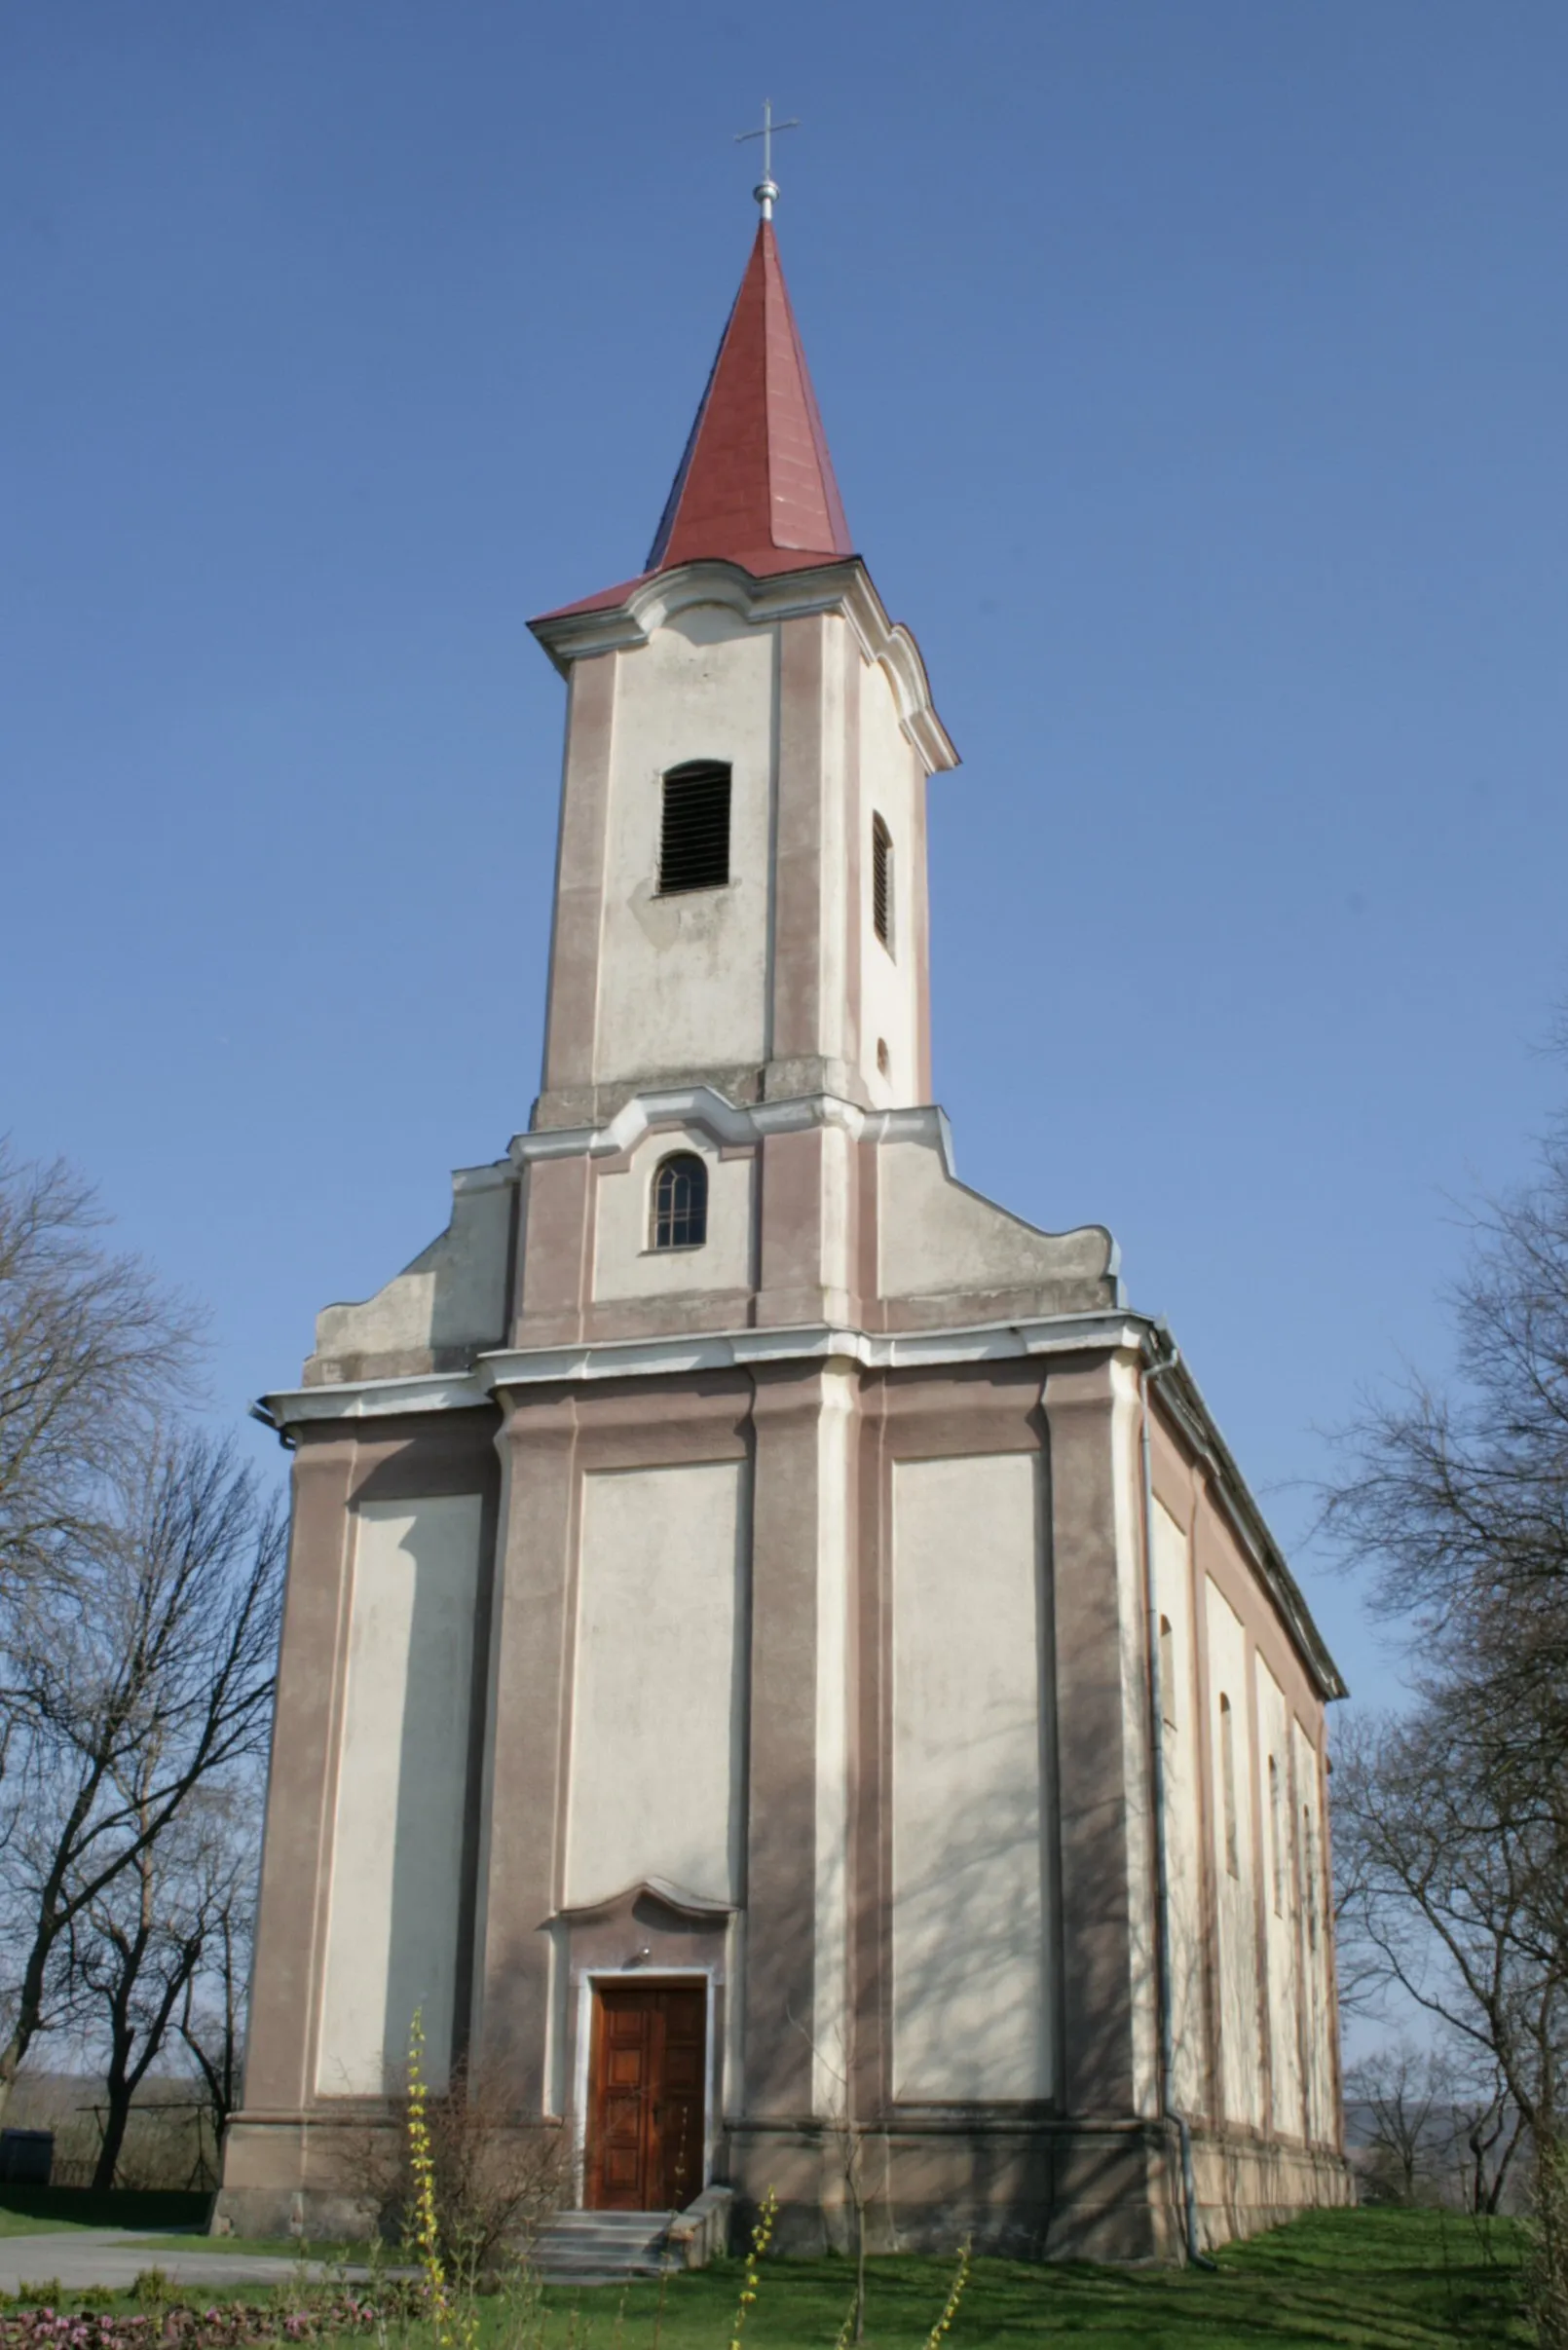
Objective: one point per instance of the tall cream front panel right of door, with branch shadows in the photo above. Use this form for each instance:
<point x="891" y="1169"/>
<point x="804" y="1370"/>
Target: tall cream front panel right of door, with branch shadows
<point x="972" y="1996"/>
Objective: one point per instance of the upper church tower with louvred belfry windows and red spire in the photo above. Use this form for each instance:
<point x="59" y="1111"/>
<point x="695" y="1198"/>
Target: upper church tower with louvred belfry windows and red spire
<point x="742" y="875"/>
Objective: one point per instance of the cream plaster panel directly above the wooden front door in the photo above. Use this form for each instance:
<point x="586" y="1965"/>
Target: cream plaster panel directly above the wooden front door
<point x="657" y="1714"/>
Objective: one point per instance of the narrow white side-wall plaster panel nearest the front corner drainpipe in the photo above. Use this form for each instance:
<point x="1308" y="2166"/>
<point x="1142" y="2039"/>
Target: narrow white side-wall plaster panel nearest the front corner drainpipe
<point x="1184" y="1815"/>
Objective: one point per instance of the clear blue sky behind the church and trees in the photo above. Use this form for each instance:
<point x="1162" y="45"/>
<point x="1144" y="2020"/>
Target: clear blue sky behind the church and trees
<point x="1195" y="382"/>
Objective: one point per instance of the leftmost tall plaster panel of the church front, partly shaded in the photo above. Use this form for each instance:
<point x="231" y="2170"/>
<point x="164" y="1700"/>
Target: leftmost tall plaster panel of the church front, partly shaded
<point x="403" y="1775"/>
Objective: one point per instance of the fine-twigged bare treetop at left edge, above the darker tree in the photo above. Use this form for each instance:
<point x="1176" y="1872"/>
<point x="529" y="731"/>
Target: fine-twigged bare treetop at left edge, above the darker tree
<point x="93" y="1348"/>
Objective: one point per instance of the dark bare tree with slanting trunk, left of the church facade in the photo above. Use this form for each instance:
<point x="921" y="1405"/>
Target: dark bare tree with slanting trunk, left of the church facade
<point x="147" y="1677"/>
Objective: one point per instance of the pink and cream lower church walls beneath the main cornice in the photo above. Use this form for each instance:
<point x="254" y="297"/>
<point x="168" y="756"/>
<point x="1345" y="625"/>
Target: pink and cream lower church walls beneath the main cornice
<point x="812" y="1684"/>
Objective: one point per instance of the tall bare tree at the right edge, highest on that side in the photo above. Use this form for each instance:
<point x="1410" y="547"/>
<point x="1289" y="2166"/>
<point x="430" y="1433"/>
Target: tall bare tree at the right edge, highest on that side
<point x="1454" y="1820"/>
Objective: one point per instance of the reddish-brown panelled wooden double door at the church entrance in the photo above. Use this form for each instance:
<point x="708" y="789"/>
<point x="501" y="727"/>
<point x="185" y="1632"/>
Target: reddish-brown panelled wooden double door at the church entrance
<point x="645" y="2107"/>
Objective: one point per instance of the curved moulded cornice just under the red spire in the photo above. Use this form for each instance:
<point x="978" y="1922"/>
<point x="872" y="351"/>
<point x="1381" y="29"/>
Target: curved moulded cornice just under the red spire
<point x="626" y="617"/>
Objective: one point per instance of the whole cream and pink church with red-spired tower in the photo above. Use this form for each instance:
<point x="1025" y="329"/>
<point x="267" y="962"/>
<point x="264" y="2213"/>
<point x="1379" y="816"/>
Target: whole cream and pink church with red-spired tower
<point x="777" y="1644"/>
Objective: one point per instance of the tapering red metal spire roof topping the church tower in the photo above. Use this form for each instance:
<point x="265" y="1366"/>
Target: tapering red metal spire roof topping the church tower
<point x="756" y="485"/>
